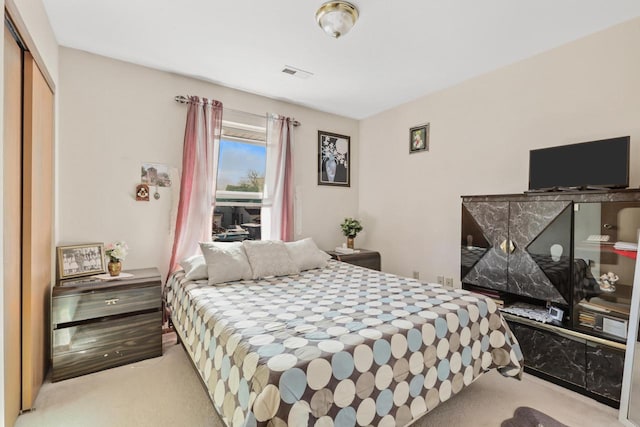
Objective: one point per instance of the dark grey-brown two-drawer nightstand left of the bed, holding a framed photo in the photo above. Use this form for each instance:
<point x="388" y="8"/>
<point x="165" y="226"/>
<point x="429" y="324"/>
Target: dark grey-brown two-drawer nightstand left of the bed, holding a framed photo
<point x="99" y="324"/>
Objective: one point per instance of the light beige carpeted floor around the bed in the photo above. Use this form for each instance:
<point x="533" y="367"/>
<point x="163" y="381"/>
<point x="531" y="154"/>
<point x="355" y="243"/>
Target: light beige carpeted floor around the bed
<point x="165" y="391"/>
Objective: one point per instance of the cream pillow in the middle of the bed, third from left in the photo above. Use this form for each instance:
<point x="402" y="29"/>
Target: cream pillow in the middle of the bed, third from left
<point x="269" y="258"/>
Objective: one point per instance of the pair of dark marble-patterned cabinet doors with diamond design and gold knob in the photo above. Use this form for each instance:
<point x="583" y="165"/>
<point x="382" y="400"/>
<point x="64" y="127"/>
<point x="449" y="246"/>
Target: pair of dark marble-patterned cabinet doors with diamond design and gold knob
<point x="508" y="232"/>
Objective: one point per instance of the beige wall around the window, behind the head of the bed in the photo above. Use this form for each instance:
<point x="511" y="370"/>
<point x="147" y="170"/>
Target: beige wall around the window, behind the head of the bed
<point x="115" y="115"/>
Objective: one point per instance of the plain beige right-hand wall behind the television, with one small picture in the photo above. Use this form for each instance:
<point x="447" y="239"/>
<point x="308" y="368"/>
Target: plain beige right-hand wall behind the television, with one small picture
<point x="481" y="134"/>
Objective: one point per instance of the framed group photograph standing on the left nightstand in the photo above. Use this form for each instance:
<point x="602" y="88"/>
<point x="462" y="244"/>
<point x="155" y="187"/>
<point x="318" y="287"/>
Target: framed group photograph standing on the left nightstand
<point x="80" y="260"/>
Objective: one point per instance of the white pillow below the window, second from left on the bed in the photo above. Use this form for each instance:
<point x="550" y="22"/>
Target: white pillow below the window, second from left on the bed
<point x="226" y="262"/>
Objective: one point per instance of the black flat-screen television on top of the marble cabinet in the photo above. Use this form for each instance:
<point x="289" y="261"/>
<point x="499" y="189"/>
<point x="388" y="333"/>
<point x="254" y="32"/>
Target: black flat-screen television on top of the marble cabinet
<point x="594" y="164"/>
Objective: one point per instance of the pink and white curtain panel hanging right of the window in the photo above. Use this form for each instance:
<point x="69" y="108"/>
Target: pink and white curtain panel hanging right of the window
<point x="277" y="212"/>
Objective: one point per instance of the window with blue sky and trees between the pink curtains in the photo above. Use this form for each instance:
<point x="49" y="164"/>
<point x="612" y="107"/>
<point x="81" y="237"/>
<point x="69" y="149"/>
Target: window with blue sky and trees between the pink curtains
<point x="241" y="172"/>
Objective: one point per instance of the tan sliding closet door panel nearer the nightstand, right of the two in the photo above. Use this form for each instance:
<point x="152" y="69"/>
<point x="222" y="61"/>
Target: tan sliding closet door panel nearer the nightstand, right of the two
<point x="37" y="229"/>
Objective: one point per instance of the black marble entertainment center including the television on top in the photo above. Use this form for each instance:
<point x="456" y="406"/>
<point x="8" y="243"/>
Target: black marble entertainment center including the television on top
<point x="560" y="264"/>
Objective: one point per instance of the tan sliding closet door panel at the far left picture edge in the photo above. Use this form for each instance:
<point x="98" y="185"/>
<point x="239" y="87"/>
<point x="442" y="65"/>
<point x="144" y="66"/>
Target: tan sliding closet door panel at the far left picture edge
<point x="12" y="195"/>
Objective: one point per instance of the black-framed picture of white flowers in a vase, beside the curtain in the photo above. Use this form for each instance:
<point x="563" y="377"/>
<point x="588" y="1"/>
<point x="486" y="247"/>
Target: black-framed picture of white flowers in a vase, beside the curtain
<point x="334" y="159"/>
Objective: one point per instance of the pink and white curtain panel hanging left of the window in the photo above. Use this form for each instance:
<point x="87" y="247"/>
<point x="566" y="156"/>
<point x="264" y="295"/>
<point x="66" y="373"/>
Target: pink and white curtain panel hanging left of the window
<point x="198" y="183"/>
